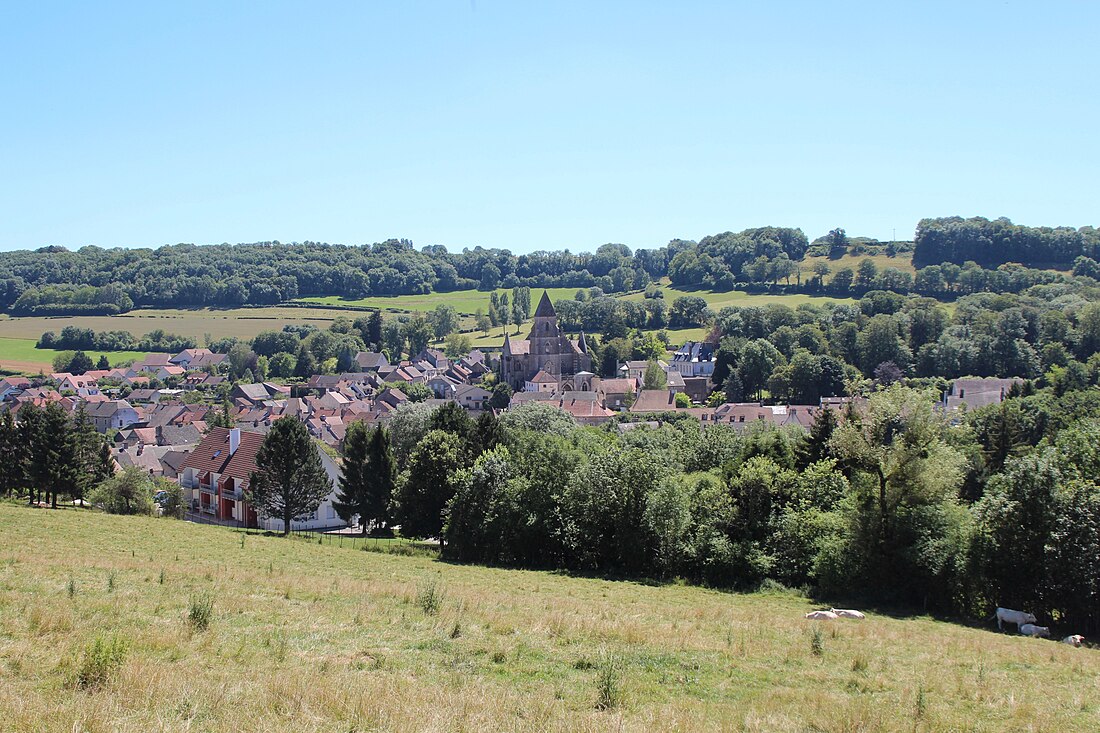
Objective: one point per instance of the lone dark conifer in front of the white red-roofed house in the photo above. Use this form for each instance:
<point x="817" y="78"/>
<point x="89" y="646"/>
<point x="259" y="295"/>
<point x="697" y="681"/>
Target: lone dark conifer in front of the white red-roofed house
<point x="290" y="483"/>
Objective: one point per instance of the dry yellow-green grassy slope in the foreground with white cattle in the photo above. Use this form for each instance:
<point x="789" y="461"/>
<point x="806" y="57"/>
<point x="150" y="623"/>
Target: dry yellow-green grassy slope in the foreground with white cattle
<point x="306" y="638"/>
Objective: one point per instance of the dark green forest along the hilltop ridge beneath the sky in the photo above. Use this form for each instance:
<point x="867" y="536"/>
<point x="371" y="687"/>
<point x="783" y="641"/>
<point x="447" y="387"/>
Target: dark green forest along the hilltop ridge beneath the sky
<point x="954" y="257"/>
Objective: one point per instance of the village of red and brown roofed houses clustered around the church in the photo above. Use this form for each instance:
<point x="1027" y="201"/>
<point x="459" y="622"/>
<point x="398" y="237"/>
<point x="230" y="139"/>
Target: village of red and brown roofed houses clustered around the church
<point x="183" y="435"/>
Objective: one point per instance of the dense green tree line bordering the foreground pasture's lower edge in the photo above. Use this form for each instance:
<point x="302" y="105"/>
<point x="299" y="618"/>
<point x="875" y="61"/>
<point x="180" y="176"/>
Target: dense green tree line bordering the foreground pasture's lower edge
<point x="895" y="502"/>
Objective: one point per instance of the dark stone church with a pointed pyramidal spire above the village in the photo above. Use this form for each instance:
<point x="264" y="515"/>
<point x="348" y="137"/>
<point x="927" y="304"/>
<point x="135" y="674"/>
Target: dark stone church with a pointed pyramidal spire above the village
<point x="546" y="352"/>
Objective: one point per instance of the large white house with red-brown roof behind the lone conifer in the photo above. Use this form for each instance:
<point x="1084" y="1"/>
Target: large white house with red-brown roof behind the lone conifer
<point x="216" y="478"/>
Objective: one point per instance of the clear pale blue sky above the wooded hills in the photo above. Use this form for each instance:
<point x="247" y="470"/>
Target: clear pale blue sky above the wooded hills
<point x="540" y="125"/>
